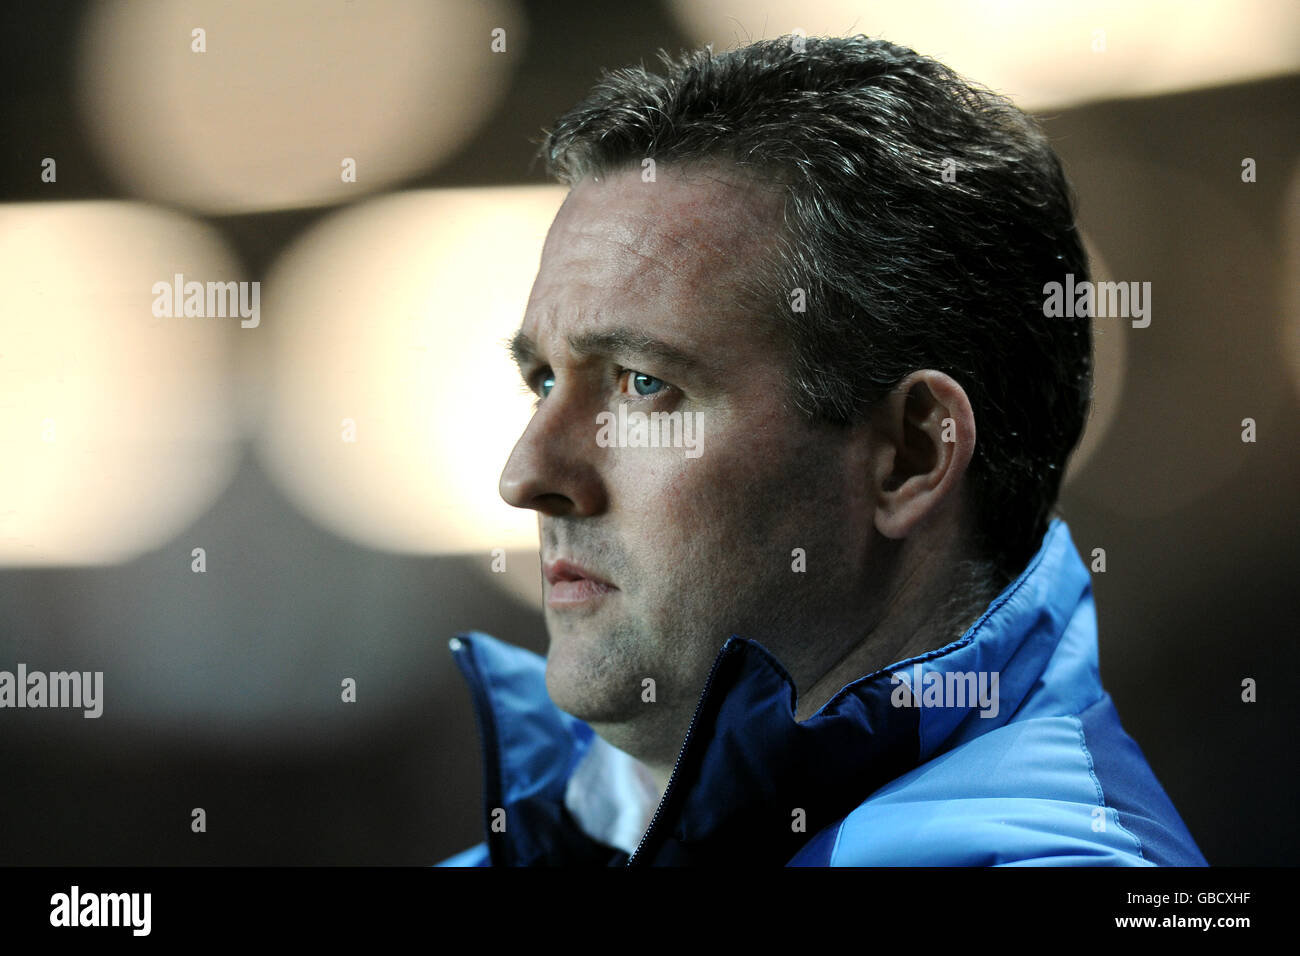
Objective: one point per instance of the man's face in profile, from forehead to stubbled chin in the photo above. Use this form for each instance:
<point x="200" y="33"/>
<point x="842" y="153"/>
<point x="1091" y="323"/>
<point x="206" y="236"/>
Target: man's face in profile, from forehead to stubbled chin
<point x="655" y="557"/>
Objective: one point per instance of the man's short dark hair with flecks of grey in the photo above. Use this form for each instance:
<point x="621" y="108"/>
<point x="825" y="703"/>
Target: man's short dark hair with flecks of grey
<point x="924" y="218"/>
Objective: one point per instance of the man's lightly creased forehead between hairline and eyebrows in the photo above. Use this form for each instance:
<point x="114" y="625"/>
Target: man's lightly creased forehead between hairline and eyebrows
<point x="670" y="254"/>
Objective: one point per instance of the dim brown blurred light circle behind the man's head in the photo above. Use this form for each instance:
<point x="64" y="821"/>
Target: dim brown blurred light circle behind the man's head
<point x="1194" y="374"/>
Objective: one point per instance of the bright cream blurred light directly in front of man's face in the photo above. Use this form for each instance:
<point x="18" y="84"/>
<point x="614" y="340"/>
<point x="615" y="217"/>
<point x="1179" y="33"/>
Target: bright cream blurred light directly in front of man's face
<point x="392" y="315"/>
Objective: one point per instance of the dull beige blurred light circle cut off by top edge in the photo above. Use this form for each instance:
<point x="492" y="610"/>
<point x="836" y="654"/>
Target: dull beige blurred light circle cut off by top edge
<point x="285" y="92"/>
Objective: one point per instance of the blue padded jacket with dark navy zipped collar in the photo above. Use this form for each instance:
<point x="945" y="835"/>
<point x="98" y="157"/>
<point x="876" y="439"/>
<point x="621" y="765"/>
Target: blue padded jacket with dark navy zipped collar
<point x="905" y="767"/>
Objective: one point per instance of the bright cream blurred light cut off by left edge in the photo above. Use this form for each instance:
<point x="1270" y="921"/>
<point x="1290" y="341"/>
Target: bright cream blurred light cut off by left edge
<point x="116" y="427"/>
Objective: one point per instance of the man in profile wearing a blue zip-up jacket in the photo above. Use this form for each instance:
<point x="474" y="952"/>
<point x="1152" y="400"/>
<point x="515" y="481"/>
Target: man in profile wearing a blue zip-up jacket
<point x="817" y="611"/>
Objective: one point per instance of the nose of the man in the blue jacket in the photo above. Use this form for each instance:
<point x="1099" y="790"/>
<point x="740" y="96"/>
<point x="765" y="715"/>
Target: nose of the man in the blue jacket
<point x="552" y="469"/>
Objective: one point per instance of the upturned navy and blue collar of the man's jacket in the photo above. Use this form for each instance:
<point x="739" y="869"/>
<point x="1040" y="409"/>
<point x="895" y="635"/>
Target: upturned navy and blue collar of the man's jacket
<point x="752" y="785"/>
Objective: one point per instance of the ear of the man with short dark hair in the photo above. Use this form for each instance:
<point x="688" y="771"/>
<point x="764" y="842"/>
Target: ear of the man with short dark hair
<point x="925" y="440"/>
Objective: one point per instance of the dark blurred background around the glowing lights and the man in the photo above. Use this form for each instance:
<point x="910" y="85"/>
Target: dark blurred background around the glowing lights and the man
<point x="1201" y="530"/>
